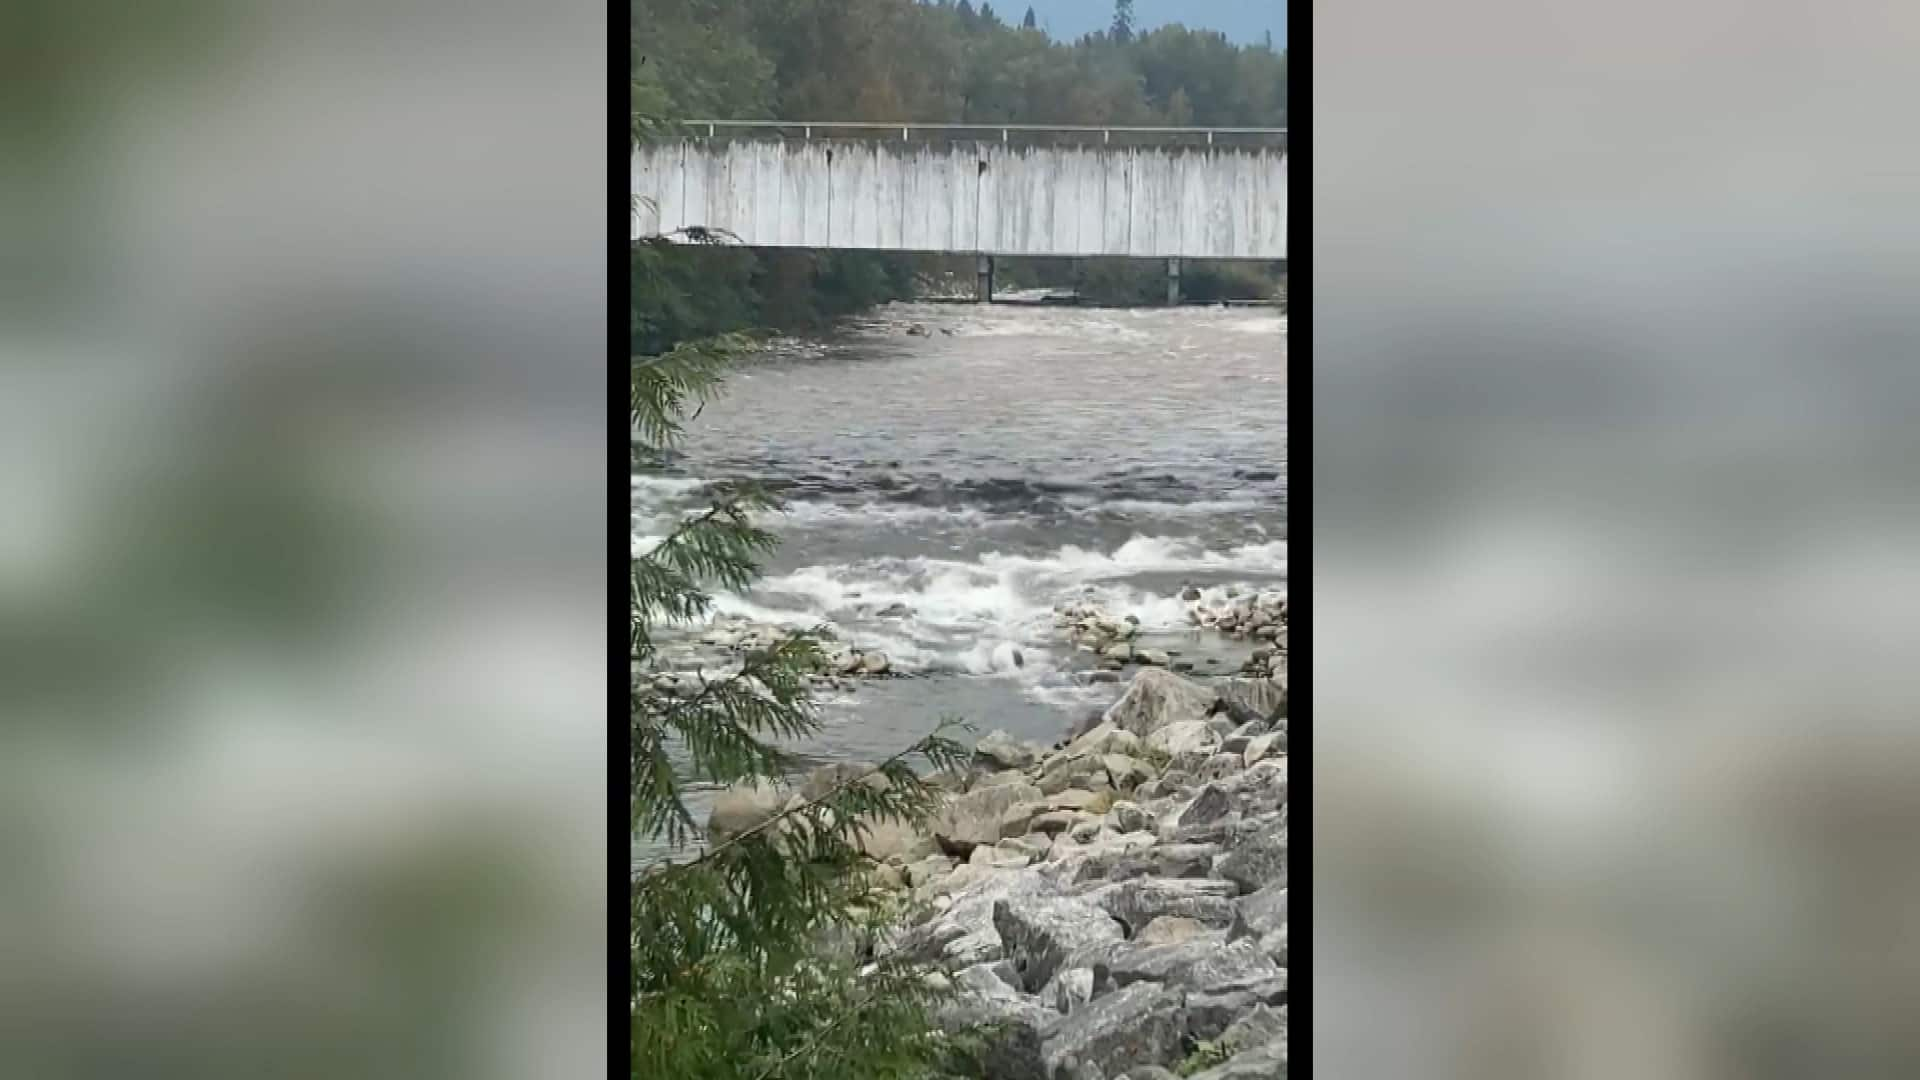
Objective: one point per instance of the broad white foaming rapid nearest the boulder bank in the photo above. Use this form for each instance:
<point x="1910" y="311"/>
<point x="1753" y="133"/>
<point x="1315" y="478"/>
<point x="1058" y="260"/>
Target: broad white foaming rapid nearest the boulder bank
<point x="996" y="616"/>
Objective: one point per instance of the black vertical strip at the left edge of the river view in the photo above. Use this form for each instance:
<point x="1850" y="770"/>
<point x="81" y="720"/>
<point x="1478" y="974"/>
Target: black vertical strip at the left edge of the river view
<point x="619" y="516"/>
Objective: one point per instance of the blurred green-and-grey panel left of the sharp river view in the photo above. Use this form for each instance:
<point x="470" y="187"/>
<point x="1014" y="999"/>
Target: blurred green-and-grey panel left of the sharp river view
<point x="304" y="539"/>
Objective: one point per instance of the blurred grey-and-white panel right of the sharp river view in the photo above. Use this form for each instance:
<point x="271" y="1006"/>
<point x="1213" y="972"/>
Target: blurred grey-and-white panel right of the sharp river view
<point x="1618" y="539"/>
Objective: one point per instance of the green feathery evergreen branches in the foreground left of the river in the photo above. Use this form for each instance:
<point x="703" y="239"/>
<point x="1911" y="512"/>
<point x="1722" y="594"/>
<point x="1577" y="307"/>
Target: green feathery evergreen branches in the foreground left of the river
<point x="746" y="954"/>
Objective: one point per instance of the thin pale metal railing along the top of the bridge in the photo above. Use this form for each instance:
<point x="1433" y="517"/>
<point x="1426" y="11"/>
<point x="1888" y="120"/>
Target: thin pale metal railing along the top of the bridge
<point x="1007" y="134"/>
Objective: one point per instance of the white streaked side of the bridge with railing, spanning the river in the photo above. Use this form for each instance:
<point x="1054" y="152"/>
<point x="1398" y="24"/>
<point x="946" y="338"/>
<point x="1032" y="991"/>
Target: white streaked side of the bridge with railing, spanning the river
<point x="997" y="191"/>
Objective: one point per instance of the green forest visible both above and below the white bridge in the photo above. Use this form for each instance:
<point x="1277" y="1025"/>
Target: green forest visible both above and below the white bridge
<point x="926" y="62"/>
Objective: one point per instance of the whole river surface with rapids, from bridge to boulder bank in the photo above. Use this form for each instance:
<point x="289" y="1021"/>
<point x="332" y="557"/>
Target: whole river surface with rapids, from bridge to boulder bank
<point x="1007" y="460"/>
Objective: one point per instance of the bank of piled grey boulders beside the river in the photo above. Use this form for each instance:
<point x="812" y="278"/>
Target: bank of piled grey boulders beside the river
<point x="1115" y="906"/>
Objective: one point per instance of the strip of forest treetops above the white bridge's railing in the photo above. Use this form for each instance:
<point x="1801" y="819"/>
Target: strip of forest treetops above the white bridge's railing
<point x="940" y="62"/>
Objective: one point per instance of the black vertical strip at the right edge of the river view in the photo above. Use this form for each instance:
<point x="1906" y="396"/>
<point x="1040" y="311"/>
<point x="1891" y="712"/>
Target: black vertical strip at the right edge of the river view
<point x="1301" y="535"/>
